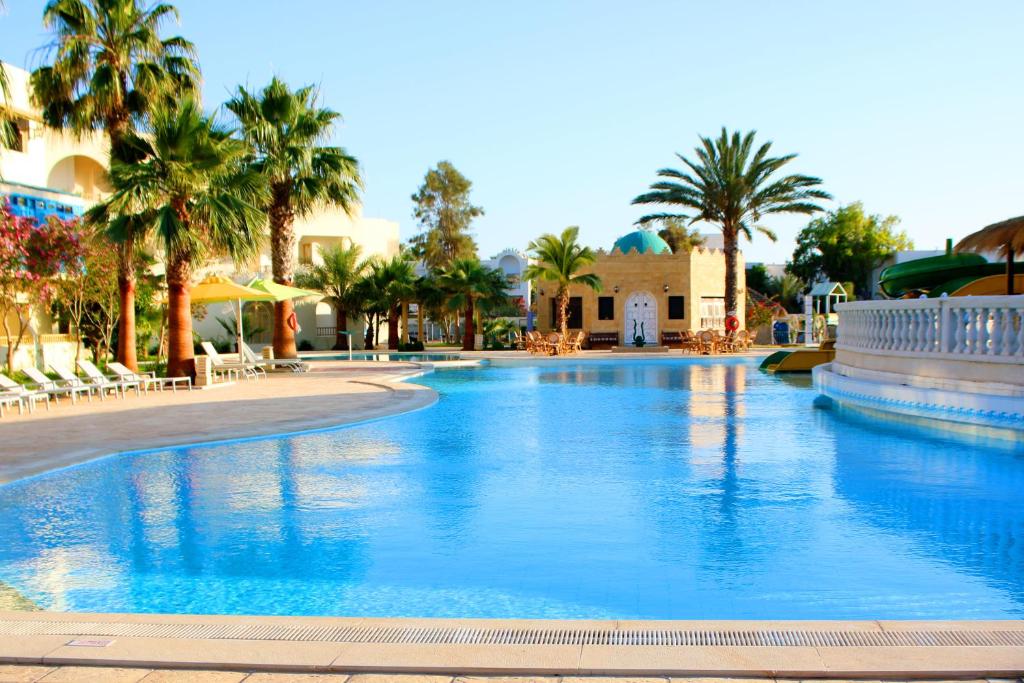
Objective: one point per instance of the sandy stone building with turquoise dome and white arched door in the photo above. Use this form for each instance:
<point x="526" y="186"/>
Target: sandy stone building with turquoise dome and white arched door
<point x="648" y="291"/>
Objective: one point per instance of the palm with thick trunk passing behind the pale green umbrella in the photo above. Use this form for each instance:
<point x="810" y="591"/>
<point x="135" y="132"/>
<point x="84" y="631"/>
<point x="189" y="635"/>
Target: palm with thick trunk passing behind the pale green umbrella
<point x="288" y="131"/>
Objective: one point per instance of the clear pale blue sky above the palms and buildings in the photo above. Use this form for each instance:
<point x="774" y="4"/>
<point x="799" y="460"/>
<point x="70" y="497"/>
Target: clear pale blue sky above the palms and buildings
<point x="562" y="112"/>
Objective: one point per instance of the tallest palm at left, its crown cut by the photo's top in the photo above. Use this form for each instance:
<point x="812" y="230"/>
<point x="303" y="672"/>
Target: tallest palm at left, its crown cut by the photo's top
<point x="110" y="69"/>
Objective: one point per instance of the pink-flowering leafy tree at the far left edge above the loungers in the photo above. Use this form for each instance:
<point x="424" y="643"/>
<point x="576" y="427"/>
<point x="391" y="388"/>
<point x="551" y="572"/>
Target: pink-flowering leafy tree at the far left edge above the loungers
<point x="32" y="258"/>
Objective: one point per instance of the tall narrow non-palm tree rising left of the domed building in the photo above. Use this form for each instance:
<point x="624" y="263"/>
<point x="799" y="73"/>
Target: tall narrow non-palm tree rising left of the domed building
<point x="445" y="214"/>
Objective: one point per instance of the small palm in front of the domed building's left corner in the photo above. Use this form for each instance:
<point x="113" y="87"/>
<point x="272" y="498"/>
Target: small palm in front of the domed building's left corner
<point x="561" y="261"/>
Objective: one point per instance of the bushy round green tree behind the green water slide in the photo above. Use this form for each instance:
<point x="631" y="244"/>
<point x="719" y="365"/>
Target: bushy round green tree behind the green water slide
<point x="846" y="245"/>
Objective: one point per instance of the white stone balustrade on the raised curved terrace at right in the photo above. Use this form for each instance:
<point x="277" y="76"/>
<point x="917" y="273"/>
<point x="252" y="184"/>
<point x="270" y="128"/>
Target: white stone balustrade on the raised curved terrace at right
<point x="989" y="328"/>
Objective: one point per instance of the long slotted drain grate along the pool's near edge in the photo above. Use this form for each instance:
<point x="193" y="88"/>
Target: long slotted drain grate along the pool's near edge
<point x="523" y="636"/>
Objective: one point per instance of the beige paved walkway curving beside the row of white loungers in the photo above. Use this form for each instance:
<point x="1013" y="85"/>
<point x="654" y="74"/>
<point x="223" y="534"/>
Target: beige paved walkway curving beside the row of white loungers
<point x="334" y="394"/>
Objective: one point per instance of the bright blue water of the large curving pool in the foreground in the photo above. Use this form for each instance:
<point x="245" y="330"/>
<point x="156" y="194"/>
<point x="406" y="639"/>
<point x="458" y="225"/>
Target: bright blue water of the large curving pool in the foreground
<point x="692" y="489"/>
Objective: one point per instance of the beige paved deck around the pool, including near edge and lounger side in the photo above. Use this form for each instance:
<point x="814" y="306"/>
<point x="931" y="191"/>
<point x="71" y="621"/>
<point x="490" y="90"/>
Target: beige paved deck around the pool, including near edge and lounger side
<point x="55" y="647"/>
